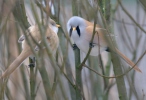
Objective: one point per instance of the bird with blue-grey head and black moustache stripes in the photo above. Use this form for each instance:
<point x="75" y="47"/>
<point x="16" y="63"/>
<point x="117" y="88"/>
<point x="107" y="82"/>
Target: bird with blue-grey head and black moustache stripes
<point x="81" y="31"/>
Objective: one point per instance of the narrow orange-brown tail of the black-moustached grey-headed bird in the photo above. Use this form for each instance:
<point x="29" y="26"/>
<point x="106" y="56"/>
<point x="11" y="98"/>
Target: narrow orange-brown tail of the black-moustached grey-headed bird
<point x="128" y="61"/>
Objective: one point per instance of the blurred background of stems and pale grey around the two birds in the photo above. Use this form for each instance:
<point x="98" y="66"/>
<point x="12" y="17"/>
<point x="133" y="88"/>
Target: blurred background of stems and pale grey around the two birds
<point x="128" y="29"/>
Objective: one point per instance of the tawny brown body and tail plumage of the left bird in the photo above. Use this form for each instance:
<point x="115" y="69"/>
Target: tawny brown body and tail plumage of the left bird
<point x="52" y="40"/>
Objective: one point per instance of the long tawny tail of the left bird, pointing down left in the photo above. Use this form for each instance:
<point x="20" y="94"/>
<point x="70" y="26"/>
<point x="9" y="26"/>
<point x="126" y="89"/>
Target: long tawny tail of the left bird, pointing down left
<point x="16" y="63"/>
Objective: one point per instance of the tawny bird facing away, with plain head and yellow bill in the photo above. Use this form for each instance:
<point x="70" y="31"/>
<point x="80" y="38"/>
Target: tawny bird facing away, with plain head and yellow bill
<point x="34" y="32"/>
